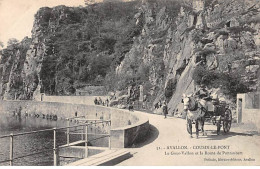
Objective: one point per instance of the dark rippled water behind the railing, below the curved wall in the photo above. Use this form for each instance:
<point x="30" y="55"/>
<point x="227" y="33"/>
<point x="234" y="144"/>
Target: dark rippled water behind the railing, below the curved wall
<point x="33" y="143"/>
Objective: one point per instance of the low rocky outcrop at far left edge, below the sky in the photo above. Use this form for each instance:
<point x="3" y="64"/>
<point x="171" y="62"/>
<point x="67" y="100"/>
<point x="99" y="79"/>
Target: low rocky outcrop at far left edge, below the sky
<point x="11" y="70"/>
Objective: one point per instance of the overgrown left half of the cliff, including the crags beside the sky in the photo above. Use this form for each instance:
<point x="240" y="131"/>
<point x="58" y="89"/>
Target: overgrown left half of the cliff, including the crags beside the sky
<point x="70" y="48"/>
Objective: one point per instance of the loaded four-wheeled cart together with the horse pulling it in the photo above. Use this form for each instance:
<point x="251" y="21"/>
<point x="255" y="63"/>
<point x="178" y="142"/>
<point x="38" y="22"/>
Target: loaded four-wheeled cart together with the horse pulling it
<point x="211" y="110"/>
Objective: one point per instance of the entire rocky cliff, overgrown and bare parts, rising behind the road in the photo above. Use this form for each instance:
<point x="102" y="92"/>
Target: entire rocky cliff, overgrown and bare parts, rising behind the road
<point x="169" y="47"/>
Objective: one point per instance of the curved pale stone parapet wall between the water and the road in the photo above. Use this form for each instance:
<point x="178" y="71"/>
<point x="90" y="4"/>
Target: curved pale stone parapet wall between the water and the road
<point x="126" y="127"/>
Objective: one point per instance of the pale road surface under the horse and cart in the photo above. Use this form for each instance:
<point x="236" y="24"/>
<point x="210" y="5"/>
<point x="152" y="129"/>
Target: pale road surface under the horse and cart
<point x="169" y="144"/>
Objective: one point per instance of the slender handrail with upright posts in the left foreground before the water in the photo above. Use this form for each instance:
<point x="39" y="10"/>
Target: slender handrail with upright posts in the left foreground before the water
<point x="55" y="148"/>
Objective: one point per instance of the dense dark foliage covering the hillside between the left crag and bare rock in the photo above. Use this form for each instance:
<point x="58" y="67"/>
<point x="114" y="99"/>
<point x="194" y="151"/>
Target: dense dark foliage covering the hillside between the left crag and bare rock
<point x="85" y="45"/>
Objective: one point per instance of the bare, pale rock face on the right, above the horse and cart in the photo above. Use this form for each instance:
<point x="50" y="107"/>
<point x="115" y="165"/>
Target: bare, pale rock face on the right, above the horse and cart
<point x="216" y="35"/>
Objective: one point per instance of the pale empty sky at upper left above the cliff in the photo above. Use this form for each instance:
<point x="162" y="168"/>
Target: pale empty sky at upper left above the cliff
<point x="17" y="16"/>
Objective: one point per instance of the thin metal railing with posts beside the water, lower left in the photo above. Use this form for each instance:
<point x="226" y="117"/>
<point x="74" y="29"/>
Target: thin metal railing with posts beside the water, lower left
<point x="55" y="147"/>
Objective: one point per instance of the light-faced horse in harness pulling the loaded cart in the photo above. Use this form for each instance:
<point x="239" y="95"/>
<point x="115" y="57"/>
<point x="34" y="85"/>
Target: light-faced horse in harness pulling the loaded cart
<point x="195" y="112"/>
